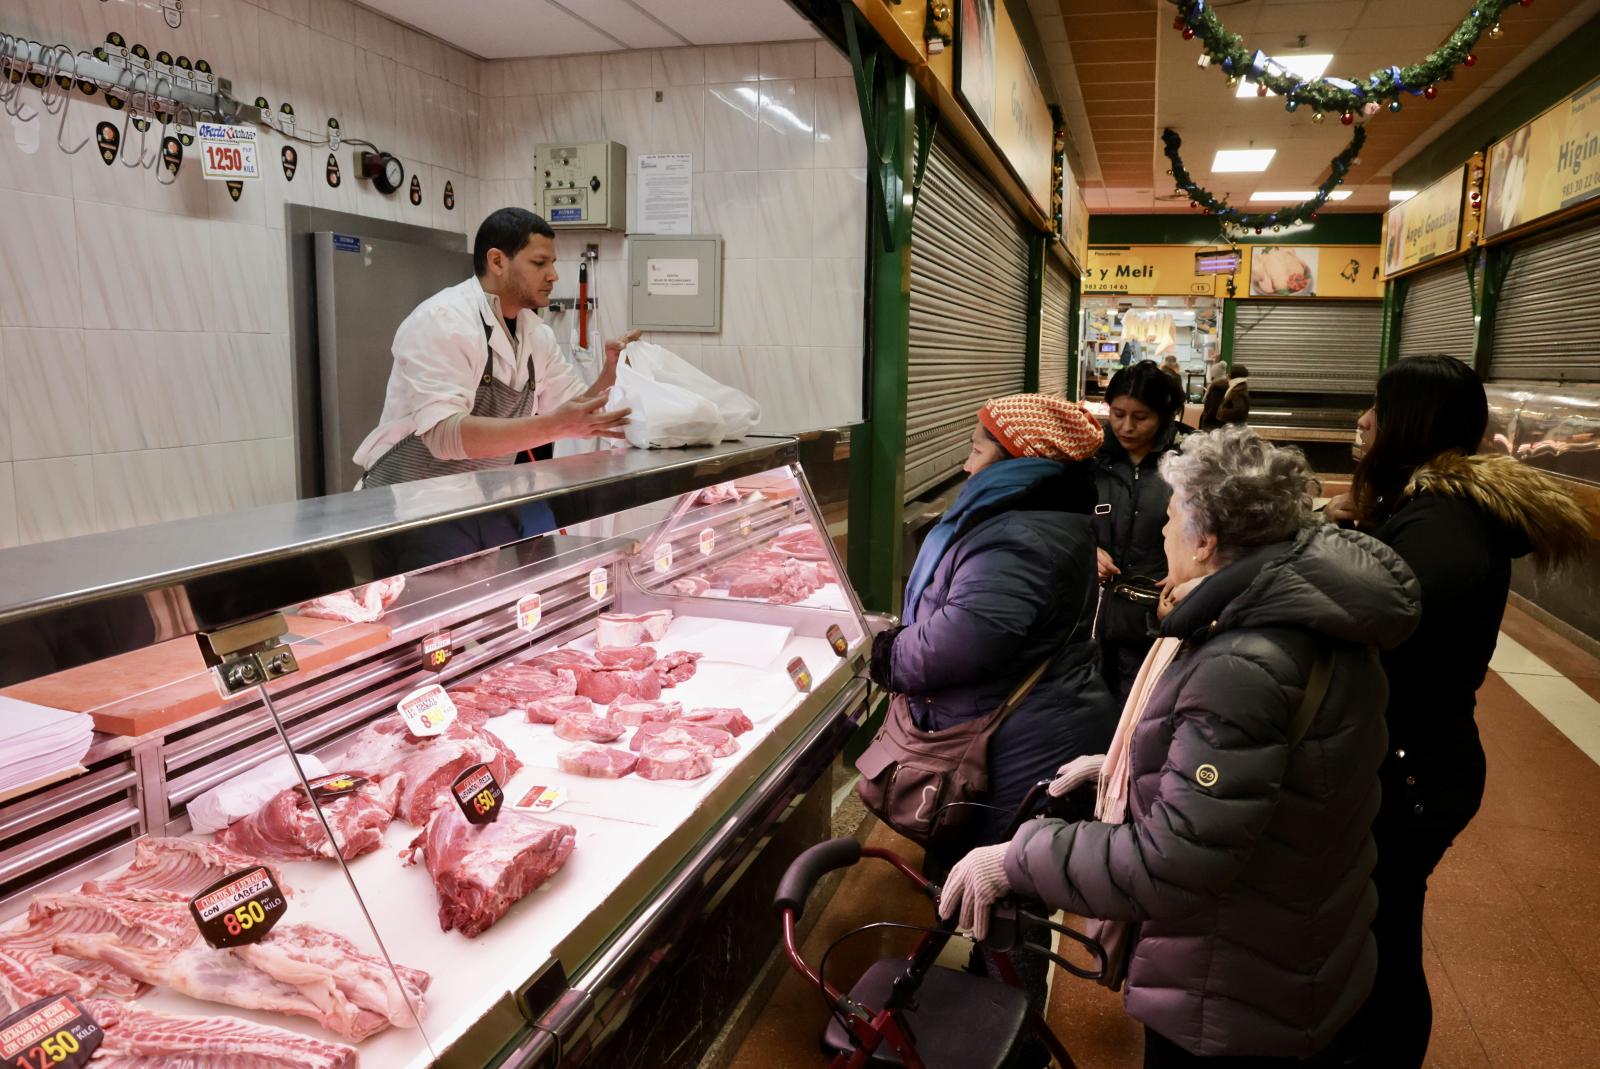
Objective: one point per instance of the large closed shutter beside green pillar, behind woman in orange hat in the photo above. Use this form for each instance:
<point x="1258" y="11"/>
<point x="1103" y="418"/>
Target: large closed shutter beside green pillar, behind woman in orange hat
<point x="969" y="313"/>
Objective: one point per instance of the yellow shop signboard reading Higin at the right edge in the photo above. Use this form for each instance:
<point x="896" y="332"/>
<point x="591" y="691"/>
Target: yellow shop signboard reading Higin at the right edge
<point x="1548" y="166"/>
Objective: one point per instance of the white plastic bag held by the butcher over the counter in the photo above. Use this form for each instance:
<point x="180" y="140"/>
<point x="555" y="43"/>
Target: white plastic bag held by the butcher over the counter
<point x="674" y="402"/>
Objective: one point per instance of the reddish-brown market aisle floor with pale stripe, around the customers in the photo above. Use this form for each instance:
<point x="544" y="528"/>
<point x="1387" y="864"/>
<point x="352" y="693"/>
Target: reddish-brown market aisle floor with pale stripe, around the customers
<point x="1513" y="915"/>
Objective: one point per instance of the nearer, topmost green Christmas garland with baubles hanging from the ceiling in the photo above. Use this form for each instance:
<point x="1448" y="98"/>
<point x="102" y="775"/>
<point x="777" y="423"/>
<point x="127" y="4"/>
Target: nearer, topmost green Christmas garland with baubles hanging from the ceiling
<point x="1337" y="95"/>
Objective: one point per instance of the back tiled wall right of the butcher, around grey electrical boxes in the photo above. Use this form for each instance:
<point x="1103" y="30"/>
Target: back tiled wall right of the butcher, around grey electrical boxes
<point x="780" y="174"/>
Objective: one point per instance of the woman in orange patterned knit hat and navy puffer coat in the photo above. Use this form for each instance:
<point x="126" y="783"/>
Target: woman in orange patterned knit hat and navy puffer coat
<point x="1004" y="582"/>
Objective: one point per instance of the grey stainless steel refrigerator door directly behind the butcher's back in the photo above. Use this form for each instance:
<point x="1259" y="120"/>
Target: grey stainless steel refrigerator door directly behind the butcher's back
<point x="366" y="287"/>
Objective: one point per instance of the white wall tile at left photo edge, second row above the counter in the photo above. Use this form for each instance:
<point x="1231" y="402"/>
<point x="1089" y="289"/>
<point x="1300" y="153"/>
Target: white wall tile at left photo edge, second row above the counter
<point x="49" y="386"/>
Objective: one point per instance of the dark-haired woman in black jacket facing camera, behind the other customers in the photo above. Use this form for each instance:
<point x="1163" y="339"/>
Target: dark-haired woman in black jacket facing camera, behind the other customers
<point x="1145" y="407"/>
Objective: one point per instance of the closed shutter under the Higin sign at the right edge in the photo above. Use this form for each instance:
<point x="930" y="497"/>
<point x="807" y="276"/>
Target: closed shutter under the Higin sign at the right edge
<point x="1548" y="318"/>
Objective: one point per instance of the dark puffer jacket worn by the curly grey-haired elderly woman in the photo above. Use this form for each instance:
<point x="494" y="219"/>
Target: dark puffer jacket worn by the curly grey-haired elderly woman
<point x="1254" y="894"/>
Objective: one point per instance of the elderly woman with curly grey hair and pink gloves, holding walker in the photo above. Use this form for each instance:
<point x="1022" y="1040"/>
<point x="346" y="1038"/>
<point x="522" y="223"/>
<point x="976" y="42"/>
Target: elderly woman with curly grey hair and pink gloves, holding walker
<point x="1231" y="860"/>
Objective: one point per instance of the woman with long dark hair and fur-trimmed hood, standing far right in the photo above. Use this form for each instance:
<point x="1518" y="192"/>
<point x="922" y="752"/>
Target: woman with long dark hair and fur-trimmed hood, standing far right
<point x="1458" y="519"/>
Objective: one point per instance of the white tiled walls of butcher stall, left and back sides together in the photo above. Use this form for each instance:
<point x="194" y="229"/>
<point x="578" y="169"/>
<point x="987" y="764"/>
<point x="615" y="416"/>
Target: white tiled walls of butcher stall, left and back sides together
<point x="145" y="356"/>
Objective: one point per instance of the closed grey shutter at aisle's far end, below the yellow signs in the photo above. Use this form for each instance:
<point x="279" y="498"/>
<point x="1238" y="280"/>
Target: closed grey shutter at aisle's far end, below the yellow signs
<point x="1310" y="346"/>
